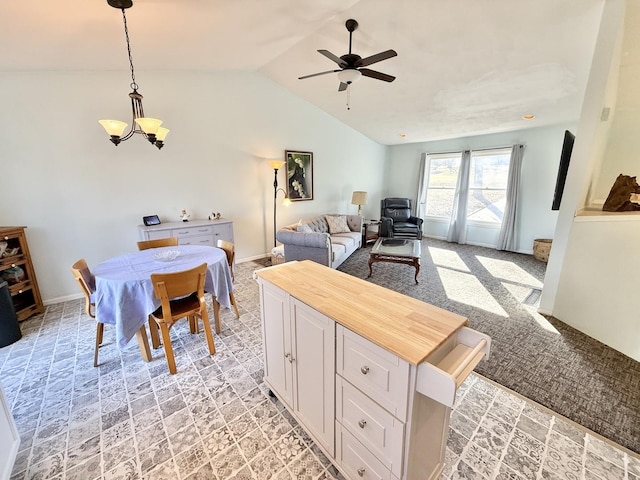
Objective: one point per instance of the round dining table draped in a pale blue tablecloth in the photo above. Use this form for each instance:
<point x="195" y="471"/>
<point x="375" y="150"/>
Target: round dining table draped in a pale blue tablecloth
<point x="124" y="292"/>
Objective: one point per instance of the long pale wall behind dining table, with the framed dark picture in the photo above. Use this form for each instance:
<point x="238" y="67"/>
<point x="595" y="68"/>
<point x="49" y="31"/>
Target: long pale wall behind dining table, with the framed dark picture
<point x="80" y="196"/>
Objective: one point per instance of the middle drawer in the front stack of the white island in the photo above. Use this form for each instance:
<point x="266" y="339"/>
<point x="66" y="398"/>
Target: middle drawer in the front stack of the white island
<point x="372" y="425"/>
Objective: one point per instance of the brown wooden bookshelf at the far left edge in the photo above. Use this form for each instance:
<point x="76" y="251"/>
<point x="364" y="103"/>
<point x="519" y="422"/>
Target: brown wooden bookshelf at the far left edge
<point x="16" y="268"/>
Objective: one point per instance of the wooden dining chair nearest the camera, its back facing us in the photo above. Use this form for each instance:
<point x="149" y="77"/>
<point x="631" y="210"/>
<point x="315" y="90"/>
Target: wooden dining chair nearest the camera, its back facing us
<point x="181" y="295"/>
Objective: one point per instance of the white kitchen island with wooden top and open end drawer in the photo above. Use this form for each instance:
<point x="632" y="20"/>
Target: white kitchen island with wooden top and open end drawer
<point x="382" y="367"/>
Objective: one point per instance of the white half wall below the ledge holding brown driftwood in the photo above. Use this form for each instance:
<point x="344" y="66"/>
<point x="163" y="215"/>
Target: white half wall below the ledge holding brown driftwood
<point x="598" y="291"/>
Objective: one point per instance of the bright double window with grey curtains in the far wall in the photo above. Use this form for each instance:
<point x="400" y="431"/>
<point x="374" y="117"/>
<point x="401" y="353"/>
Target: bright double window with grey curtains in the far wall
<point x="488" y="174"/>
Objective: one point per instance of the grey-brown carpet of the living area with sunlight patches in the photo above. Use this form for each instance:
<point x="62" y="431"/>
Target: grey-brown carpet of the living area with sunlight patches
<point x="539" y="357"/>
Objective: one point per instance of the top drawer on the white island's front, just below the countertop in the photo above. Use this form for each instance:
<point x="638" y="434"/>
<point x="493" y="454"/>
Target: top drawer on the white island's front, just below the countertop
<point x="379" y="374"/>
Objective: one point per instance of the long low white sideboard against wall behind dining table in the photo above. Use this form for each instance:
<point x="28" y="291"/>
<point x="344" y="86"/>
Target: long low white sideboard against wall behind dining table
<point x="197" y="232"/>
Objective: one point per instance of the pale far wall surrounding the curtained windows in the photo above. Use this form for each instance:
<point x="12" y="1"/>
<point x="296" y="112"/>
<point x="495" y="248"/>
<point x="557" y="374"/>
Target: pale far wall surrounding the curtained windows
<point x="535" y="218"/>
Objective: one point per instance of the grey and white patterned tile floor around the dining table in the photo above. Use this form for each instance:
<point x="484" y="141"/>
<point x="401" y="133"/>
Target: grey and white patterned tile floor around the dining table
<point x="128" y="419"/>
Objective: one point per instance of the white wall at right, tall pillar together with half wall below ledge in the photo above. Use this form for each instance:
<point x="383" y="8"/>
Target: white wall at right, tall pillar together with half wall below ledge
<point x="592" y="271"/>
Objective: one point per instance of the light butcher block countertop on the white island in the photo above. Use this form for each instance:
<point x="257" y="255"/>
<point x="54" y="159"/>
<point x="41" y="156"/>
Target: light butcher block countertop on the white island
<point x="409" y="328"/>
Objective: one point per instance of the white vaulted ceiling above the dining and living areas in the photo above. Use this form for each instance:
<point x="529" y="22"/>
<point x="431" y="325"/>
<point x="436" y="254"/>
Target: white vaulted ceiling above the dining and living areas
<point x="464" y="67"/>
